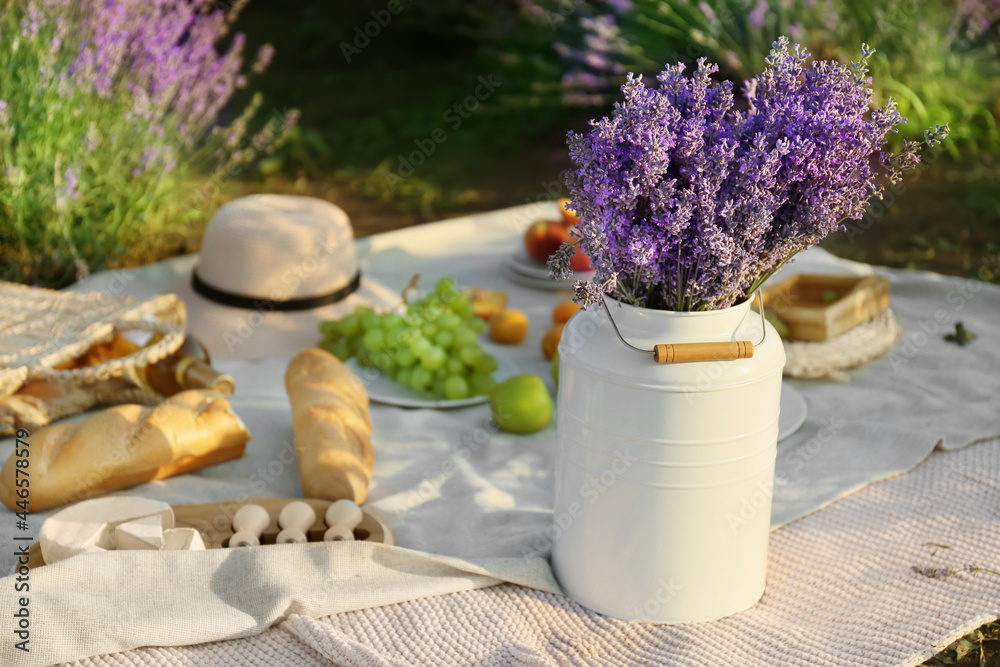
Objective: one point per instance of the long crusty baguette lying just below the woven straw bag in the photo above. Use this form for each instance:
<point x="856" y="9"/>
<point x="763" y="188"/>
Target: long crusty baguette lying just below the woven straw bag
<point x="124" y="446"/>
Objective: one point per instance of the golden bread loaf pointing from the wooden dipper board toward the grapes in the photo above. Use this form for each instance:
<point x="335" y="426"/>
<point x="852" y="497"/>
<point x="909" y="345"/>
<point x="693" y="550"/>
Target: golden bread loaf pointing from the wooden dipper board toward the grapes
<point x="332" y="427"/>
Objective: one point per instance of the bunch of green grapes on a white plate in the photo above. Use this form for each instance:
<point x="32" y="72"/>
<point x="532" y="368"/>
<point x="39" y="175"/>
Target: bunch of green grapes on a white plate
<point x="433" y="348"/>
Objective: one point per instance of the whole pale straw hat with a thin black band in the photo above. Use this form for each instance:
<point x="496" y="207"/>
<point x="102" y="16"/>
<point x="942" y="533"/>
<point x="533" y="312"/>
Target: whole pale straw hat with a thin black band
<point x="270" y="269"/>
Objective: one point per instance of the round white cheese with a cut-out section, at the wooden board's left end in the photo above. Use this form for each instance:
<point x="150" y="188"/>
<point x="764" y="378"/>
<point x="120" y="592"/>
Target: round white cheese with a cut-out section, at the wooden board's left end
<point x="92" y="523"/>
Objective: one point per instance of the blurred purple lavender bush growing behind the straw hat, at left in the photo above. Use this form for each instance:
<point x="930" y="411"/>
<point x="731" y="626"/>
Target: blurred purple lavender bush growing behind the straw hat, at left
<point x="110" y="142"/>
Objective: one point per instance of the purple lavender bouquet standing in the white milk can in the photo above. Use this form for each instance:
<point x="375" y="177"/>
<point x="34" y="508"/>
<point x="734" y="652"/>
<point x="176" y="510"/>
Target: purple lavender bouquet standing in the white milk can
<point x="687" y="203"/>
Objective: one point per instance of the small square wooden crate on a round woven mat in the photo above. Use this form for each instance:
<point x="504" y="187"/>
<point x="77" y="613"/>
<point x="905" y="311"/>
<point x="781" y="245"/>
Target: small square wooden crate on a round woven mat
<point x="801" y="302"/>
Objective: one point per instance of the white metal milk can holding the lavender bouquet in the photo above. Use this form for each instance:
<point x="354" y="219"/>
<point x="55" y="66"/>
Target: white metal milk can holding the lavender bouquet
<point x="665" y="470"/>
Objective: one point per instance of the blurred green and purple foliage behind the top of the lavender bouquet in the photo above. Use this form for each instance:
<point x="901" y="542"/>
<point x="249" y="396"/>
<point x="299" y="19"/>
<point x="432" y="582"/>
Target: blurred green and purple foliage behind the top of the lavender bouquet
<point x="925" y="58"/>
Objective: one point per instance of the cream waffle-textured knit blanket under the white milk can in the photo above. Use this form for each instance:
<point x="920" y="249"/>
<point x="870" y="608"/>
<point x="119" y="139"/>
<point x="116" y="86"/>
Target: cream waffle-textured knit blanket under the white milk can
<point x="840" y="593"/>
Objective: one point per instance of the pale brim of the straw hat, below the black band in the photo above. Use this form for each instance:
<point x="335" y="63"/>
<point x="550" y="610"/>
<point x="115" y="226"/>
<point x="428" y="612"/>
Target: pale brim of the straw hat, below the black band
<point x="229" y="332"/>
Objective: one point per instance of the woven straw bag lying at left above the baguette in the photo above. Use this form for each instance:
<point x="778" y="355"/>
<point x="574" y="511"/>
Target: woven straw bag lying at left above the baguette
<point x="42" y="328"/>
